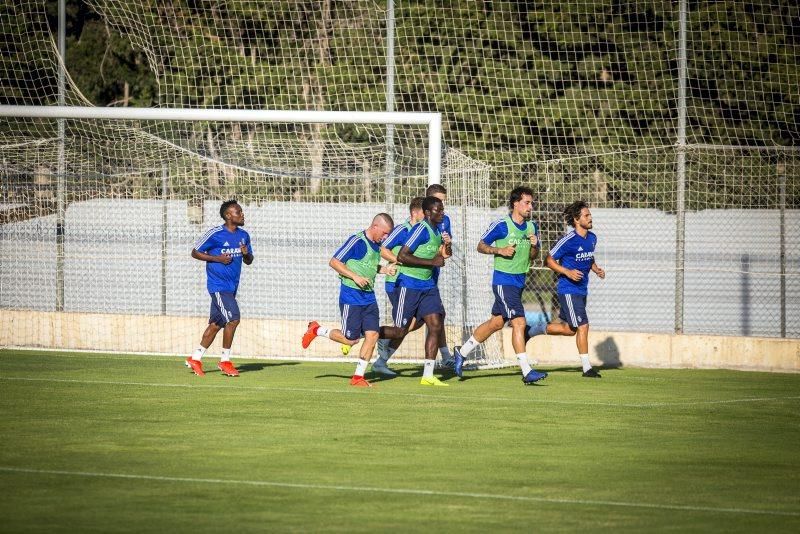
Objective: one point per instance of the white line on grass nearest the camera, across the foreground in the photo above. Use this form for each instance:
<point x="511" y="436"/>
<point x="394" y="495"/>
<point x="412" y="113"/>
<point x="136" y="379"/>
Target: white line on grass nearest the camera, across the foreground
<point x="403" y="491"/>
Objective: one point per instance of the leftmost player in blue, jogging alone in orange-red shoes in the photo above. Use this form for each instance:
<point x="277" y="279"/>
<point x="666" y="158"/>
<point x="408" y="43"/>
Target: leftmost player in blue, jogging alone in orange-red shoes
<point x="224" y="248"/>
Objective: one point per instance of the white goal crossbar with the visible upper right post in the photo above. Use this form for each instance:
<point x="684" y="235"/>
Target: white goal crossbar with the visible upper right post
<point x="432" y="120"/>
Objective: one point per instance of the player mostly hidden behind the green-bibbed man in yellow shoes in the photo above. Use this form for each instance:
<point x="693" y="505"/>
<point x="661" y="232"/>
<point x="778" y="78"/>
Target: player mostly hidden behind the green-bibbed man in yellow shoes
<point x="389" y="249"/>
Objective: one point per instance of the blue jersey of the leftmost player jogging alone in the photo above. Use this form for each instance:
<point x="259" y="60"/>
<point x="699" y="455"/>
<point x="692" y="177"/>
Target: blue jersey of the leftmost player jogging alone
<point x="220" y="240"/>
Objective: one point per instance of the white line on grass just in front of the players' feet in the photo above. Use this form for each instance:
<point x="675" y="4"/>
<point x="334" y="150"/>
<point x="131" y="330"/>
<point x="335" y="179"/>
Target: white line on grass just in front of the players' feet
<point x="353" y="391"/>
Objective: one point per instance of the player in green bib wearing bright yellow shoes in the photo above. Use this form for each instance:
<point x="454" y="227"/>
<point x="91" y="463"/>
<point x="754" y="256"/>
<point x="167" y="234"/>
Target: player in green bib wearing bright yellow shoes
<point x="418" y="296"/>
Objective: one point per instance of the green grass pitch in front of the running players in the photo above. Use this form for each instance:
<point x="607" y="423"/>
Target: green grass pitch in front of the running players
<point x="96" y="442"/>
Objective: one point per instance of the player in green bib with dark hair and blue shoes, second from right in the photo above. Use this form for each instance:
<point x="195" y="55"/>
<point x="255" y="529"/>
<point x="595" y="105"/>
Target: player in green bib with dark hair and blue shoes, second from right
<point x="514" y="242"/>
